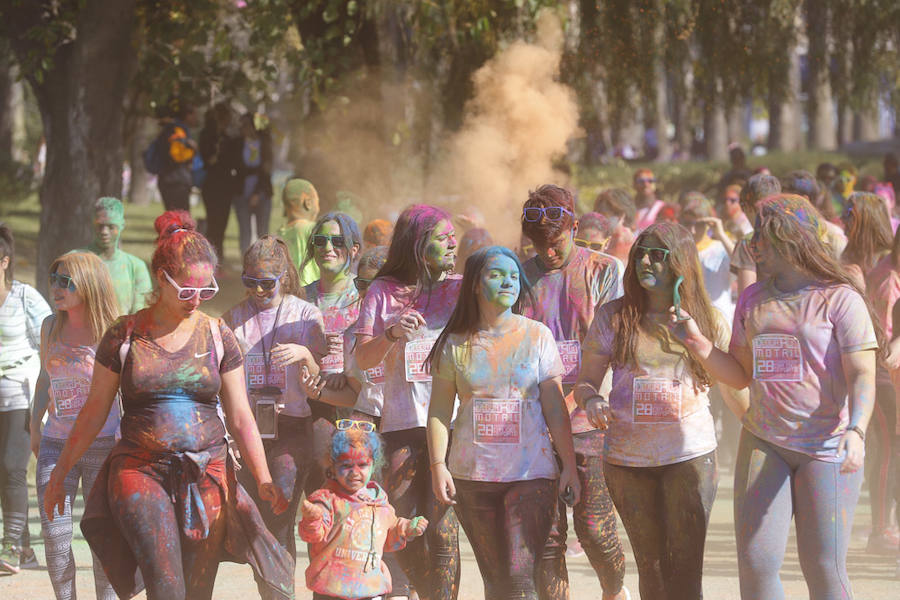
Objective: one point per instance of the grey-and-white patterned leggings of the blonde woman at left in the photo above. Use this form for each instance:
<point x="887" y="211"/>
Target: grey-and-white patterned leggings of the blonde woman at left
<point x="58" y="533"/>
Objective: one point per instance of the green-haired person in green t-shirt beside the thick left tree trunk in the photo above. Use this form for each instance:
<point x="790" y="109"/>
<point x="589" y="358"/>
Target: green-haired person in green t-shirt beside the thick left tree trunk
<point x="131" y="278"/>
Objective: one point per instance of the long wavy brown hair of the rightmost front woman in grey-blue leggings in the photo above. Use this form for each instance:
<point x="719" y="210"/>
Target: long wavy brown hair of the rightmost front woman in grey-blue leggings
<point x="795" y="229"/>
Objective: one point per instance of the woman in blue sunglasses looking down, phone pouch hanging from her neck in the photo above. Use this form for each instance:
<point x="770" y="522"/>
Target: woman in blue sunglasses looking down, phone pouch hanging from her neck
<point x="279" y="334"/>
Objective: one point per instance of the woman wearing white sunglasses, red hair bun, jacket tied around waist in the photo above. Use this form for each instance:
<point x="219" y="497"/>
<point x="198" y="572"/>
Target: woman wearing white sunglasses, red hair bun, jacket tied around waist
<point x="167" y="489"/>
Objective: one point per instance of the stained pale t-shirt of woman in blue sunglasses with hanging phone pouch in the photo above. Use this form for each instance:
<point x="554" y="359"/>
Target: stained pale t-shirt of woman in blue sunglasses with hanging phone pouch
<point x="298" y="323"/>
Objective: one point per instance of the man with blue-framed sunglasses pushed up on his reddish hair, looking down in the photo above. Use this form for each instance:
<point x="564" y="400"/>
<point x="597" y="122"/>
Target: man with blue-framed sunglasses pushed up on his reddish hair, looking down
<point x="569" y="284"/>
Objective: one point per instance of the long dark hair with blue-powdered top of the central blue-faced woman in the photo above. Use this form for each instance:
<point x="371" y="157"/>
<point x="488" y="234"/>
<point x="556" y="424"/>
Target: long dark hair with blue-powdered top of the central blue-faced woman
<point x="466" y="315"/>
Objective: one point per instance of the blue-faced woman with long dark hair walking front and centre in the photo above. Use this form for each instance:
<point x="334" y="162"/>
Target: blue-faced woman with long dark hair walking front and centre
<point x="501" y="472"/>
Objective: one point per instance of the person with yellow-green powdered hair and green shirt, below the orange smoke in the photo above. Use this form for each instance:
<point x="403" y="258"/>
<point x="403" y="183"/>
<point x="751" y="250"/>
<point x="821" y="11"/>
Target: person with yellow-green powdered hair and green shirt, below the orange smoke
<point x="301" y="207"/>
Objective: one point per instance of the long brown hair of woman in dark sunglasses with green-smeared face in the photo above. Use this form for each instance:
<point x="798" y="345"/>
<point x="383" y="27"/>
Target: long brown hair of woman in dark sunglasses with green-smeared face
<point x="683" y="261"/>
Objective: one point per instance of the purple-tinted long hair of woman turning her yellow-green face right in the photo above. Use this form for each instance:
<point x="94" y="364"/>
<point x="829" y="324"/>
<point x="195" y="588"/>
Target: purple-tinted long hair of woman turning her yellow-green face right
<point x="406" y="255"/>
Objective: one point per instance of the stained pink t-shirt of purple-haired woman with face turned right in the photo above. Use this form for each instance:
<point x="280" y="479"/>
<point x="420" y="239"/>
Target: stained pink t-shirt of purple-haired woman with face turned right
<point x="407" y="383"/>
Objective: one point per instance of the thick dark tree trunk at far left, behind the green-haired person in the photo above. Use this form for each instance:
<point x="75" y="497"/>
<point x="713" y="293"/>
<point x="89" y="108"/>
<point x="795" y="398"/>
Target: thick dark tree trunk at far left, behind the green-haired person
<point x="81" y="102"/>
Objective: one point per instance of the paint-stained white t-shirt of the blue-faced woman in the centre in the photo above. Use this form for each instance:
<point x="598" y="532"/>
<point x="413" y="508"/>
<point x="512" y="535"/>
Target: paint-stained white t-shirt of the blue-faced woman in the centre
<point x="500" y="433"/>
